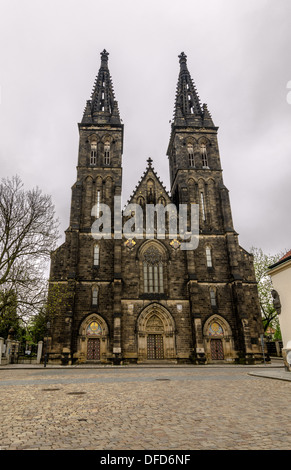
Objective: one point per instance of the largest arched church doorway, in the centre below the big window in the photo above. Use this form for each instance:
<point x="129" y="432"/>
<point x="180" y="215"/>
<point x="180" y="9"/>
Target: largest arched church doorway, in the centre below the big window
<point x="156" y="334"/>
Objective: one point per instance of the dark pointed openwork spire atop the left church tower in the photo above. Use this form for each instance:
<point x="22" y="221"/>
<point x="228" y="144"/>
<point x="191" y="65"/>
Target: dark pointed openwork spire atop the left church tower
<point x="102" y="108"/>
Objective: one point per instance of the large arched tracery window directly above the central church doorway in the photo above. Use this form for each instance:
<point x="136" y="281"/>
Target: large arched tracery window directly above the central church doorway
<point x="153" y="272"/>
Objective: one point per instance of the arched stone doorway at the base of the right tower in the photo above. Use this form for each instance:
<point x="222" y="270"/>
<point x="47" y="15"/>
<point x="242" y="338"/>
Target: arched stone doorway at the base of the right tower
<point x="218" y="339"/>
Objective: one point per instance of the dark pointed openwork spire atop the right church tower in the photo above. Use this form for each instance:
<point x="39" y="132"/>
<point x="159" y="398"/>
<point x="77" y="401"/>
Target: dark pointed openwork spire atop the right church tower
<point x="188" y="109"/>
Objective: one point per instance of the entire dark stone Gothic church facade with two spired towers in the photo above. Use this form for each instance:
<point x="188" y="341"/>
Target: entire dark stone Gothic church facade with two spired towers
<point x="137" y="300"/>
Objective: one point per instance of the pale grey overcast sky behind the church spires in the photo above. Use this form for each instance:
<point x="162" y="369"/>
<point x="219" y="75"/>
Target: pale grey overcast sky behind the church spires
<point x="239" y="58"/>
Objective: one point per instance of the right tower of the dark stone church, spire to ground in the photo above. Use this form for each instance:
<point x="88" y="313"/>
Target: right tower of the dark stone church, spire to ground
<point x="219" y="270"/>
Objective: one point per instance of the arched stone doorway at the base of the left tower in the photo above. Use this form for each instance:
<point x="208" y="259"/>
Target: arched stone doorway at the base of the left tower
<point x="93" y="339"/>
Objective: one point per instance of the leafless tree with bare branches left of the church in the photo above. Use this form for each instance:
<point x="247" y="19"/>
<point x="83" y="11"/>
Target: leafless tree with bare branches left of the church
<point x="28" y="234"/>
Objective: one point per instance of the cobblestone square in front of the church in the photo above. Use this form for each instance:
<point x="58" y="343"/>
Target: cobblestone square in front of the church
<point x="174" y="408"/>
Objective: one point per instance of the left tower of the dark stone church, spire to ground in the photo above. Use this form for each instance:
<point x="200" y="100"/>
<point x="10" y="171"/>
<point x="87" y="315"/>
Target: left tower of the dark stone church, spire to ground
<point x="85" y="272"/>
